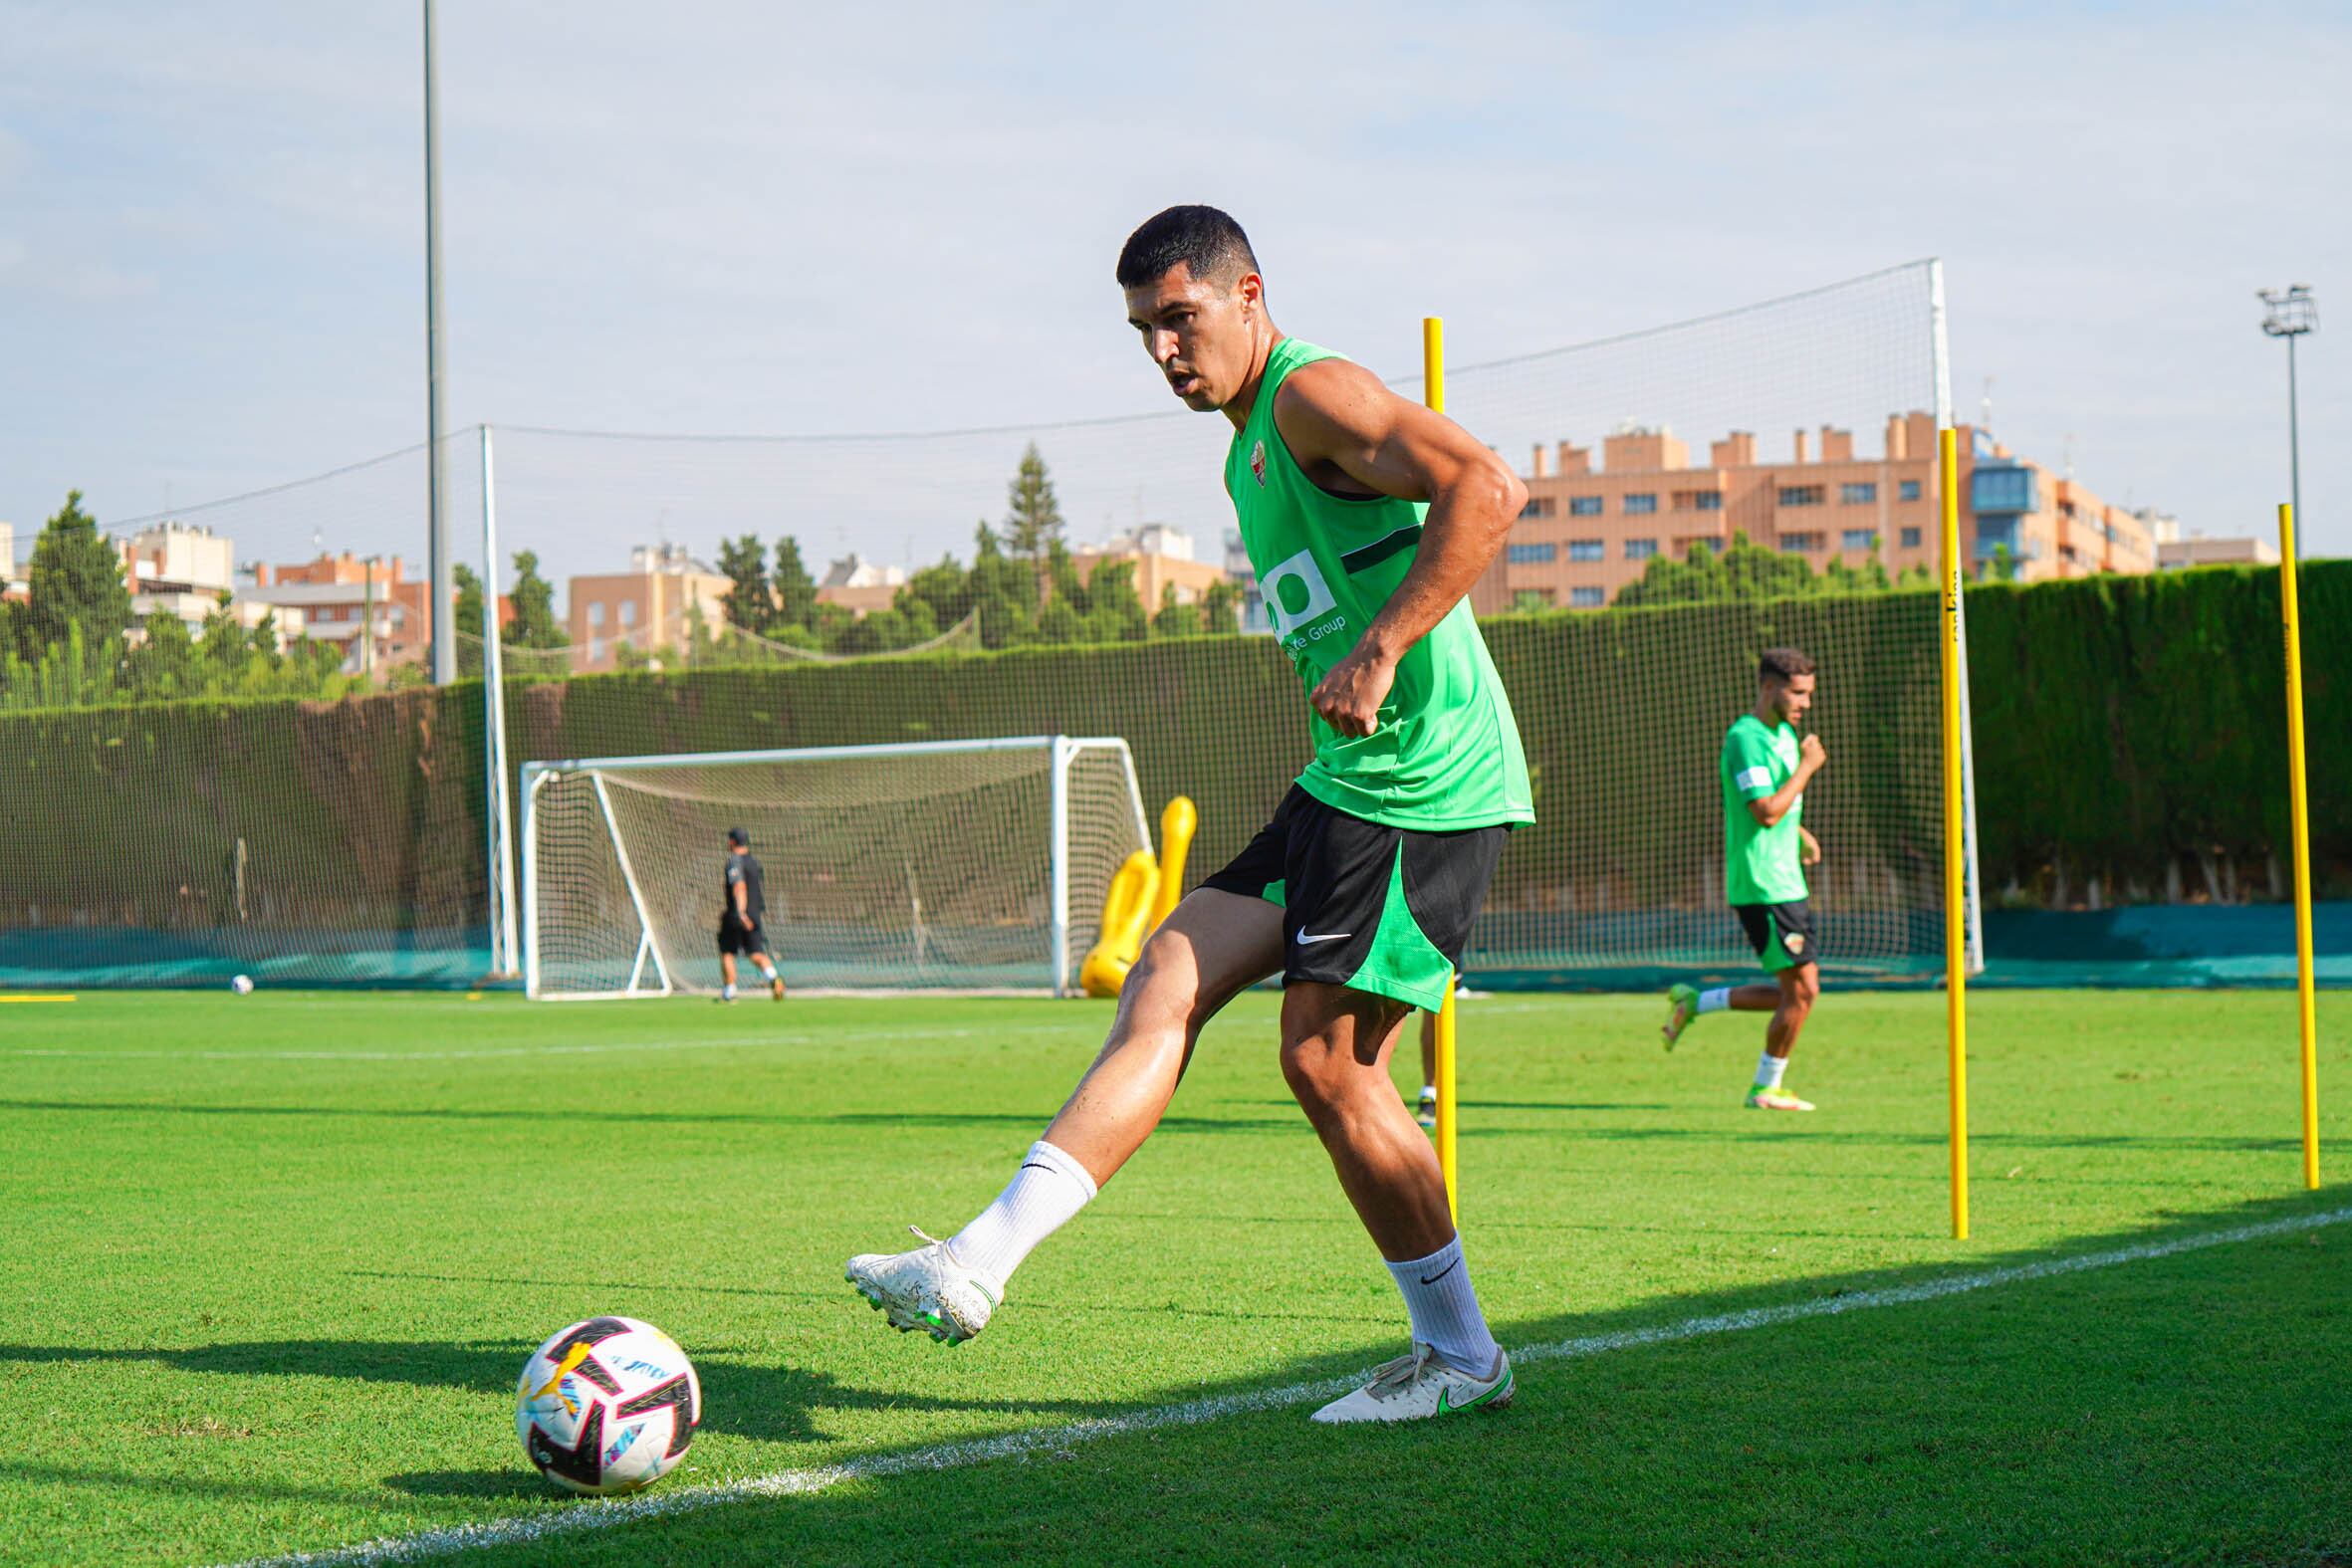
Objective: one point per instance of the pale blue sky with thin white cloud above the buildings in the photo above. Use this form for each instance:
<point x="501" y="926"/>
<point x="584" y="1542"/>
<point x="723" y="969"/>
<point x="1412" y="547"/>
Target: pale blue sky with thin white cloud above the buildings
<point x="733" y="217"/>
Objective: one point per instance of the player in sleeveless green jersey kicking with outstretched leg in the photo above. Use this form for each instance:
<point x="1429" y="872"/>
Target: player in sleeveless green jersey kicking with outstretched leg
<point x="1368" y="521"/>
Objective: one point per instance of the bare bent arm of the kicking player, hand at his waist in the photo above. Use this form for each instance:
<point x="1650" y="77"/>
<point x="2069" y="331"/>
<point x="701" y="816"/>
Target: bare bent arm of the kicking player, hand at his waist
<point x="1351" y="434"/>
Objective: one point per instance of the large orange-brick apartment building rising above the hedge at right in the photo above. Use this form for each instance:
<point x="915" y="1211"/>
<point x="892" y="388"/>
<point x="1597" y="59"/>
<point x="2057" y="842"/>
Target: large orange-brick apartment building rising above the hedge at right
<point x="1591" y="528"/>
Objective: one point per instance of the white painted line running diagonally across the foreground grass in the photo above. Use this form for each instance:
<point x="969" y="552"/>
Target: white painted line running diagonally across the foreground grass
<point x="1069" y="1435"/>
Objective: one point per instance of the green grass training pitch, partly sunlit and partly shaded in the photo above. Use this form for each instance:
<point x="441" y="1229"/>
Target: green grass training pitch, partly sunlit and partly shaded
<point x="274" y="1264"/>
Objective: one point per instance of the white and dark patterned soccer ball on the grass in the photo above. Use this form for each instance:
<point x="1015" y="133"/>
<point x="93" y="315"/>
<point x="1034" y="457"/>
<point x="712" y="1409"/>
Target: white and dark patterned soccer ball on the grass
<point x="608" y="1407"/>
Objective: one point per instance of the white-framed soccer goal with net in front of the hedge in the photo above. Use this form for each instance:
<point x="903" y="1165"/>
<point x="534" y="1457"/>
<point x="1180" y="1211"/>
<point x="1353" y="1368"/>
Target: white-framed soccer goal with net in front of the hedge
<point x="928" y="866"/>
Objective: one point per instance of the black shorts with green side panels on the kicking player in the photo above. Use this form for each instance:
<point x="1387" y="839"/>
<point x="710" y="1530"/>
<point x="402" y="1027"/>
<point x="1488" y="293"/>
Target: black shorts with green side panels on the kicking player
<point x="1375" y="909"/>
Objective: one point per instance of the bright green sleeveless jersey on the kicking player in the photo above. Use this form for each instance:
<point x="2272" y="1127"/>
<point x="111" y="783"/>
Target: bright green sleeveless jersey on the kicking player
<point x="1445" y="753"/>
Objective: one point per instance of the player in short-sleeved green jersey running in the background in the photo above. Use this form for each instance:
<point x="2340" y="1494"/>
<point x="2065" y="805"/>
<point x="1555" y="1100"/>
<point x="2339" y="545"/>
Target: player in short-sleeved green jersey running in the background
<point x="1765" y="770"/>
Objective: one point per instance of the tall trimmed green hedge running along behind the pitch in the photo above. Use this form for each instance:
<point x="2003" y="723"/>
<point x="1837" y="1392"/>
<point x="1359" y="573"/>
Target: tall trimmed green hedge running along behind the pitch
<point x="2127" y="730"/>
